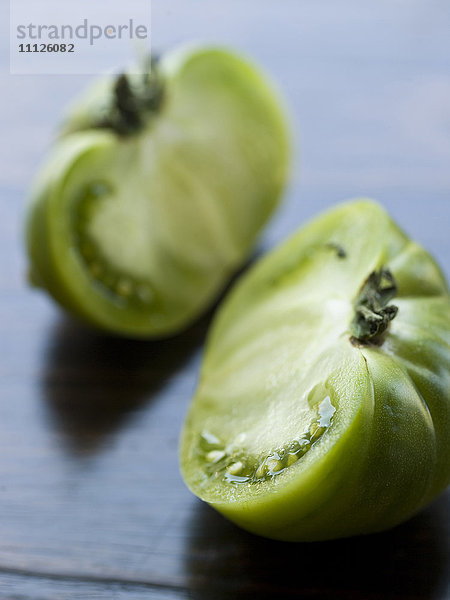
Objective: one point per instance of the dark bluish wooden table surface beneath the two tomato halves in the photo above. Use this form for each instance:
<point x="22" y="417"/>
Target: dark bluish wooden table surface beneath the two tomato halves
<point x="91" y="501"/>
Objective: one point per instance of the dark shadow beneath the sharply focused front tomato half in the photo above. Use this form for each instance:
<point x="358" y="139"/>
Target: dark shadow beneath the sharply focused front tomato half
<point x="408" y="562"/>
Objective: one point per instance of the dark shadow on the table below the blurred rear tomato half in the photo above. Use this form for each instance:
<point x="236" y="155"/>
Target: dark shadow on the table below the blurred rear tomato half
<point x="93" y="382"/>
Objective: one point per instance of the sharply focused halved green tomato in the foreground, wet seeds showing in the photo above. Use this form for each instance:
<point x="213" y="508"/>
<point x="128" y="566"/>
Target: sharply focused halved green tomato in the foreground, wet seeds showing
<point x="323" y="408"/>
